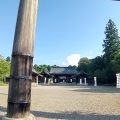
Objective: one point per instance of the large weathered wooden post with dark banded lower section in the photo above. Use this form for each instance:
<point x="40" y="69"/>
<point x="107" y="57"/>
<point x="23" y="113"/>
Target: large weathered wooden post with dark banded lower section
<point x="19" y="96"/>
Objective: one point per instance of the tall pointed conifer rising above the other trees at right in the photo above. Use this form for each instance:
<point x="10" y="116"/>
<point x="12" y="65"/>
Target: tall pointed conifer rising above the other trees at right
<point x="111" y="43"/>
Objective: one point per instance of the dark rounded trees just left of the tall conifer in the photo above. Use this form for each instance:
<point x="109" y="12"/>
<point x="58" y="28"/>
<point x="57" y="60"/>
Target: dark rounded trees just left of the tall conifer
<point x="94" y="67"/>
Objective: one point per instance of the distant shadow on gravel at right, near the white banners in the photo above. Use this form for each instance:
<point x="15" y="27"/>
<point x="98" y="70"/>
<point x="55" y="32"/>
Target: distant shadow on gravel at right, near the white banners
<point x="99" y="89"/>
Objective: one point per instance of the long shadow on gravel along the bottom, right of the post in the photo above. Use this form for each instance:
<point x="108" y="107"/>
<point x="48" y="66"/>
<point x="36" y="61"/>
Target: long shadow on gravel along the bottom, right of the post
<point x="74" y="116"/>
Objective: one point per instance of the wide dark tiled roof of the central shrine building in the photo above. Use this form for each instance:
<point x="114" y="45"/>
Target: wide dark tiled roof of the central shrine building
<point x="63" y="70"/>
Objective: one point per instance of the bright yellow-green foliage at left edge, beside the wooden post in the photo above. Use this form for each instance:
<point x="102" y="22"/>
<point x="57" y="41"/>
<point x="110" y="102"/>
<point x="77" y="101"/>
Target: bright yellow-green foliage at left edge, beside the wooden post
<point x="4" y="68"/>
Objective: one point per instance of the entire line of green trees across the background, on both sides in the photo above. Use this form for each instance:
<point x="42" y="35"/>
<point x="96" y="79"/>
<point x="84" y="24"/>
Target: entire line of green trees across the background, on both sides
<point x="104" y="67"/>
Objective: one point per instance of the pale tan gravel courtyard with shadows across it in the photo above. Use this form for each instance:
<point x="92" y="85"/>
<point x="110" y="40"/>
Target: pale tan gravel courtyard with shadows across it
<point x="71" y="102"/>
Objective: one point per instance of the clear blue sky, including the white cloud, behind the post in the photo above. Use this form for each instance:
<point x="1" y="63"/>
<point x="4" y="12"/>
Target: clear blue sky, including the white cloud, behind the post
<point x="66" y="31"/>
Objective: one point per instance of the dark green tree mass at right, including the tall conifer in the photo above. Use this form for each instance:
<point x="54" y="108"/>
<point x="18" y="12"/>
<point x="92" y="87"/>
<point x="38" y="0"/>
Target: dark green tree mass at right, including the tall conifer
<point x="107" y="65"/>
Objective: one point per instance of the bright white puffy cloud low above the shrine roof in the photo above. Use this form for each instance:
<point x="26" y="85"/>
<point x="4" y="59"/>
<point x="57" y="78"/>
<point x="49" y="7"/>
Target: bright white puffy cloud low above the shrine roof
<point x="72" y="60"/>
